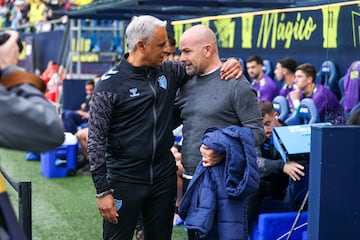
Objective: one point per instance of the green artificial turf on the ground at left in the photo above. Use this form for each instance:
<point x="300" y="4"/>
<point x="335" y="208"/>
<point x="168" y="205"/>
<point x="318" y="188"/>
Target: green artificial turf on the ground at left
<point x="62" y="208"/>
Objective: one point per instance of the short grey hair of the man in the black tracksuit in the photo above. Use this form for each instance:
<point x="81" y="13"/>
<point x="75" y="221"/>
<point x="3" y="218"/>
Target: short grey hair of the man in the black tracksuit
<point x="141" y="28"/>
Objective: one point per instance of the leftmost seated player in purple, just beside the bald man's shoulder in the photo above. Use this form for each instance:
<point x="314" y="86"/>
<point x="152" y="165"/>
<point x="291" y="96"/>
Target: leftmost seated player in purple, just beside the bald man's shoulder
<point x="265" y="87"/>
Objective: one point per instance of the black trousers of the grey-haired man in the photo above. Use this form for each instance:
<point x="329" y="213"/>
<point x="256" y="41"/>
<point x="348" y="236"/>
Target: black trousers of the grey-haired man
<point x="156" y="203"/>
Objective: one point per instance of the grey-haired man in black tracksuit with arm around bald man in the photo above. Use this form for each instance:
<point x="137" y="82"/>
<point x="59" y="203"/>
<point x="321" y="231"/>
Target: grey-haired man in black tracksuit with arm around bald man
<point x="130" y="135"/>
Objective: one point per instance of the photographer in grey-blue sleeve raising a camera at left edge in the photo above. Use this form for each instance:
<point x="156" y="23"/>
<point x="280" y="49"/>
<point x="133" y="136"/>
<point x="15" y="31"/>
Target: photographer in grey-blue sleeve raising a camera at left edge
<point x="29" y="121"/>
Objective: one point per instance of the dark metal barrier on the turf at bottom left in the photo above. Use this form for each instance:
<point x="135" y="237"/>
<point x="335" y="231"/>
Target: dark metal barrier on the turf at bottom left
<point x="24" y="199"/>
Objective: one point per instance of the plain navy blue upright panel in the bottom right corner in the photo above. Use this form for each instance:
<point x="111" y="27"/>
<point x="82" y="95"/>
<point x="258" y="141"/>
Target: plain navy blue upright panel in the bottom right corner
<point x="334" y="209"/>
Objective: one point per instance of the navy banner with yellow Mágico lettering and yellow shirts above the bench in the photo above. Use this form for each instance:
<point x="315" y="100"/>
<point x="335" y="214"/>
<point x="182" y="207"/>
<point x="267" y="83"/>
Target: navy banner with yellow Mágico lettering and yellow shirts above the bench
<point x="308" y="34"/>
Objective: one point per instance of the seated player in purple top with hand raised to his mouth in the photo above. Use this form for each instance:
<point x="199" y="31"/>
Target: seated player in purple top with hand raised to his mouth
<point x="327" y="104"/>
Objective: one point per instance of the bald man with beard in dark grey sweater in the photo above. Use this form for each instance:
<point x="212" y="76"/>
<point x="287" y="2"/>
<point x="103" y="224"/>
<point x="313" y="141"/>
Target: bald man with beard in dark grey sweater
<point x="206" y="101"/>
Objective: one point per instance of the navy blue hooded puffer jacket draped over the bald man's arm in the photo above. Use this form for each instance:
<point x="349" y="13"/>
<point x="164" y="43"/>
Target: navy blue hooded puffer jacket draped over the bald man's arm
<point x="215" y="202"/>
